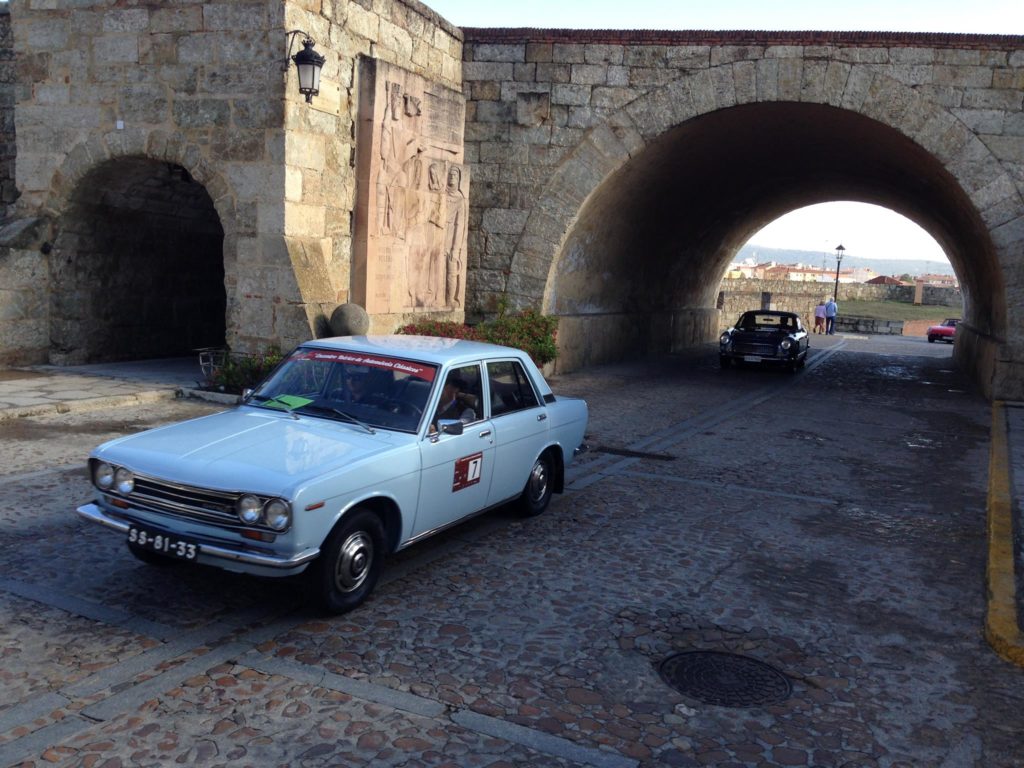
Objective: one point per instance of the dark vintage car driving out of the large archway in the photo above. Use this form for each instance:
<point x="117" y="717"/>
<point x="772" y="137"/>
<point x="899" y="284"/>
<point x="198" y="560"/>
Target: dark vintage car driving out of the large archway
<point x="765" y="336"/>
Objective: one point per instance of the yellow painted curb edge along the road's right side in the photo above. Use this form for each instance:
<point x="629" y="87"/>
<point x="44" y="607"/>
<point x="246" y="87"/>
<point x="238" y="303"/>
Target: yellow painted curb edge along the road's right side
<point x="1002" y="629"/>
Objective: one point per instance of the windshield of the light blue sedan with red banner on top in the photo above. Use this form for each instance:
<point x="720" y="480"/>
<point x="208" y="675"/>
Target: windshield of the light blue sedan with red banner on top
<point x="366" y="391"/>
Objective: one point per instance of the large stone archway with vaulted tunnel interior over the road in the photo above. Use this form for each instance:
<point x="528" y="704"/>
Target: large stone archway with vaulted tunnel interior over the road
<point x="630" y="236"/>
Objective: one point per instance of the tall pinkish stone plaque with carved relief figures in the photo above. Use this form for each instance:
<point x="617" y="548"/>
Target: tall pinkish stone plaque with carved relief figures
<point x="413" y="194"/>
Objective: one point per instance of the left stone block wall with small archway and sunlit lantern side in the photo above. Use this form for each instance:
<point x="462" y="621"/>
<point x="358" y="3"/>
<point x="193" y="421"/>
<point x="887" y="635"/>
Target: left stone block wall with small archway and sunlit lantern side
<point x="201" y="87"/>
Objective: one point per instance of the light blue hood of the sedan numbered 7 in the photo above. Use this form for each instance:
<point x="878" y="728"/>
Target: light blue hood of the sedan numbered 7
<point x="248" y="448"/>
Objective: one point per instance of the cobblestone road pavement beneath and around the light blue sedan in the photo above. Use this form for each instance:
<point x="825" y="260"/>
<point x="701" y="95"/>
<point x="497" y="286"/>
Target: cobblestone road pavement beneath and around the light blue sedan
<point x="829" y="524"/>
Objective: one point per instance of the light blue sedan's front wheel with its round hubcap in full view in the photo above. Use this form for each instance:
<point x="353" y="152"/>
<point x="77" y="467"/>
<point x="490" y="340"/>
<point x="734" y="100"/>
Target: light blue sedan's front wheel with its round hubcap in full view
<point x="350" y="564"/>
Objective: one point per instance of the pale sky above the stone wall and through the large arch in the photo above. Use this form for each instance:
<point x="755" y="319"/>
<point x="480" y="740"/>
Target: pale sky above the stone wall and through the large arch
<point x="865" y="231"/>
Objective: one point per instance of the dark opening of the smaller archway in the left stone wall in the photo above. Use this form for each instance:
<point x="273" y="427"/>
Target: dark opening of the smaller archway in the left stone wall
<point x="138" y="268"/>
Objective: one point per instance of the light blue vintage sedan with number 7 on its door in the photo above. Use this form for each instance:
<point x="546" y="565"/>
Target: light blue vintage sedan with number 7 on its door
<point x="354" y="448"/>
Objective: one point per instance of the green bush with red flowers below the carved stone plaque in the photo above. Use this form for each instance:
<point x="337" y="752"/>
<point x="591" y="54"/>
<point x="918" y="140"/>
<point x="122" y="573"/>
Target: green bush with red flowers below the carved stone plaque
<point x="529" y="330"/>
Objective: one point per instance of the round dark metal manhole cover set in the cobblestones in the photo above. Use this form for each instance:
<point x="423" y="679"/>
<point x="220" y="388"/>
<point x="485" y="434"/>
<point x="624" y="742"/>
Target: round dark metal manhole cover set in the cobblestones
<point x="726" y="679"/>
